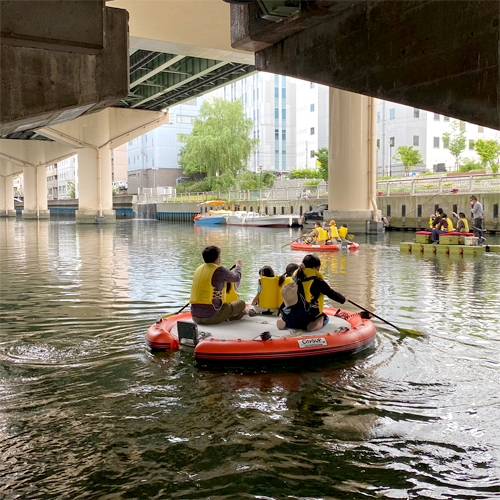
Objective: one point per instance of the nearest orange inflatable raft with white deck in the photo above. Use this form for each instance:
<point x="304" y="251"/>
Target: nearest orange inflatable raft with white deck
<point x="258" y="338"/>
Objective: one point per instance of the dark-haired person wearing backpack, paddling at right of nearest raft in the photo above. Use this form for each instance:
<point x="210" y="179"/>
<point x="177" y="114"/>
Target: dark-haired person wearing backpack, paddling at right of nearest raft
<point x="314" y="289"/>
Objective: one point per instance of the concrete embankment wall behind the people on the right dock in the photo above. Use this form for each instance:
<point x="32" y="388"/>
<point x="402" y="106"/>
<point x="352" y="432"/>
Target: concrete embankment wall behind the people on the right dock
<point x="413" y="212"/>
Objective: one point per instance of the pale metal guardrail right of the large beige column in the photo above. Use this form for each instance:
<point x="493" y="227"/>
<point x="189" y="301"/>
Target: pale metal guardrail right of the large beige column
<point x="440" y="185"/>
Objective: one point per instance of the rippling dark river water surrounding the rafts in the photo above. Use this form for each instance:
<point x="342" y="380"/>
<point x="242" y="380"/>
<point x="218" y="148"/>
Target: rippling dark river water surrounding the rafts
<point x="87" y="411"/>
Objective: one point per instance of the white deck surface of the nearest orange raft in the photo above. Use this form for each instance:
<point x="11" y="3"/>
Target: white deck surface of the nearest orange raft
<point x="250" y="328"/>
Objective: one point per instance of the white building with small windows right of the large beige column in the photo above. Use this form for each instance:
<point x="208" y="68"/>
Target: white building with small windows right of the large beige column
<point x="399" y="125"/>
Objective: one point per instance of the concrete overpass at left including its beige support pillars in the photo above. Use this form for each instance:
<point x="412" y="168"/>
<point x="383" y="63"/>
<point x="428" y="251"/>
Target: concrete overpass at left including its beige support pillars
<point x="91" y="93"/>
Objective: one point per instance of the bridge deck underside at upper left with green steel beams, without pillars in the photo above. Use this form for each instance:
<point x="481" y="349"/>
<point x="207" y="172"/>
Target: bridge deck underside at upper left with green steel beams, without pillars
<point x="64" y="59"/>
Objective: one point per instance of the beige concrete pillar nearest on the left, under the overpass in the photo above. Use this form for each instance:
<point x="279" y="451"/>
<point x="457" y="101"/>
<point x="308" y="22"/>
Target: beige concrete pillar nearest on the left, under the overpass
<point x="95" y="201"/>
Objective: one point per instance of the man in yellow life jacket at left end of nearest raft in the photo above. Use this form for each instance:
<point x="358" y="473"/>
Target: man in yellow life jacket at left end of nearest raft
<point x="209" y="303"/>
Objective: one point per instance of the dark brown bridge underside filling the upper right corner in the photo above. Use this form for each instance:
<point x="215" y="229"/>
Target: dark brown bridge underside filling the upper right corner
<point x="437" y="55"/>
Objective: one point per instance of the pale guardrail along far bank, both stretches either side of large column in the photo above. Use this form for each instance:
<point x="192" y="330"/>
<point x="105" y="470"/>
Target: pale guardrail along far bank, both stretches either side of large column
<point x="479" y="183"/>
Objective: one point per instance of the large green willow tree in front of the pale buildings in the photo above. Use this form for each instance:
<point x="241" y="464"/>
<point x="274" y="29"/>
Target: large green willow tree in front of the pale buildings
<point x="220" y="143"/>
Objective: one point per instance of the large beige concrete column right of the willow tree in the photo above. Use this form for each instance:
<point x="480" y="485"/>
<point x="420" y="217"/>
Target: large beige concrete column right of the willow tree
<point x="352" y="162"/>
